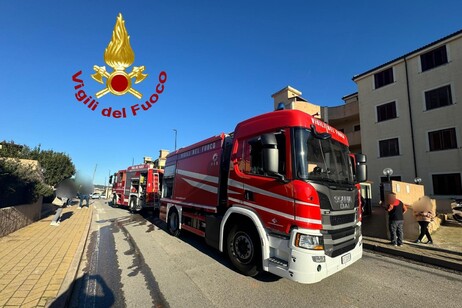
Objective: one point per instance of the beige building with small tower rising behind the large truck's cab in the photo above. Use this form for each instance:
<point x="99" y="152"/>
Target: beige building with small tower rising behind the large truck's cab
<point x="344" y="117"/>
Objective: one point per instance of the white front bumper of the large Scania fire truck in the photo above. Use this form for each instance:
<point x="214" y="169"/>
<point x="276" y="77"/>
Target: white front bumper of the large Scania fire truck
<point x="302" y="268"/>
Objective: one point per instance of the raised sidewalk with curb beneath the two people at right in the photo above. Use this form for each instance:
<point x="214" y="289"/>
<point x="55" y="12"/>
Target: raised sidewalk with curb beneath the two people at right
<point x="446" y="253"/>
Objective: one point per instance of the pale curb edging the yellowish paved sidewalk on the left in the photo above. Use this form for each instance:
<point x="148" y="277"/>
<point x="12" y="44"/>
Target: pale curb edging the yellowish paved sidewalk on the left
<point x="62" y="299"/>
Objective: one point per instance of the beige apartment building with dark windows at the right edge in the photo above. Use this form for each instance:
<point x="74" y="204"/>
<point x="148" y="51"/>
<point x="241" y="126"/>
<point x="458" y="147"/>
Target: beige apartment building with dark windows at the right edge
<point x="411" y="117"/>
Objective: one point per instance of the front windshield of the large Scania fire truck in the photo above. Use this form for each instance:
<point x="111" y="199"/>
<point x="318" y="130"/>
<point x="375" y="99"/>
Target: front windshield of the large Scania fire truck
<point x="321" y="160"/>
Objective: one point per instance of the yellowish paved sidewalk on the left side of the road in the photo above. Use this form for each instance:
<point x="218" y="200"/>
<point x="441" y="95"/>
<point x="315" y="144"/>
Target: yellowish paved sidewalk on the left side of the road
<point x="38" y="262"/>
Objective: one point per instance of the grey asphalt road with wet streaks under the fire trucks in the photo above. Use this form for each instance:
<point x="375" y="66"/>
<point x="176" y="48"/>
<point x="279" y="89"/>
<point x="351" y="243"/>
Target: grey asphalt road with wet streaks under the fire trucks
<point x="132" y="262"/>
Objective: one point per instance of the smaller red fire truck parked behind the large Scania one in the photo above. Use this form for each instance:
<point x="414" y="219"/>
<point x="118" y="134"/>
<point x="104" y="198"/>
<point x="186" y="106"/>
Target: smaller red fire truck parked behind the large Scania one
<point x="137" y="187"/>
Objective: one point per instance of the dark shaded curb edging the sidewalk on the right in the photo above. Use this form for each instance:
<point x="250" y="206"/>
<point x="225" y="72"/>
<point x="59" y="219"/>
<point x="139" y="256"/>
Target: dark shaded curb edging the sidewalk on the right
<point x="415" y="257"/>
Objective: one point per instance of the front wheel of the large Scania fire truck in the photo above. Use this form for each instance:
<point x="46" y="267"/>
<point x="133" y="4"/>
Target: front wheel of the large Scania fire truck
<point x="244" y="249"/>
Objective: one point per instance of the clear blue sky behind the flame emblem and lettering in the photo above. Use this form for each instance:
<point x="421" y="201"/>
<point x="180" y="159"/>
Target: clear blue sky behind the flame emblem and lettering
<point x="224" y="59"/>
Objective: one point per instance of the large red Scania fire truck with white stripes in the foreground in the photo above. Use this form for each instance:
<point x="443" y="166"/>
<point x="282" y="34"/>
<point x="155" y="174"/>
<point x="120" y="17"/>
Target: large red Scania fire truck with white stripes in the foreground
<point x="280" y="194"/>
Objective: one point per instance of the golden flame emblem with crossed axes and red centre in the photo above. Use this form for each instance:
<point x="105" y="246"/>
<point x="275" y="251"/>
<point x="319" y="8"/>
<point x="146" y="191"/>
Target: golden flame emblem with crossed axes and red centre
<point x="119" y="55"/>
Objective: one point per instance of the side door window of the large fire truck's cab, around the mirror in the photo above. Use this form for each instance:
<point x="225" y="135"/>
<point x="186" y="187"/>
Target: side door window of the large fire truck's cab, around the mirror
<point x="252" y="155"/>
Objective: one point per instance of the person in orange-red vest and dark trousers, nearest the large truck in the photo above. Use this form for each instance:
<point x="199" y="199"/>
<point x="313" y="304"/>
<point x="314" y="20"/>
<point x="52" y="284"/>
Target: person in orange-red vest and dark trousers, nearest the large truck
<point x="396" y="210"/>
